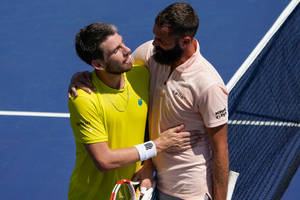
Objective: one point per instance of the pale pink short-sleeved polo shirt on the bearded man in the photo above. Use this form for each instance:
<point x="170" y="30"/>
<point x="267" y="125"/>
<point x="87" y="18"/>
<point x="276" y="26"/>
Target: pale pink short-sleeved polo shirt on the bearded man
<point x="194" y="95"/>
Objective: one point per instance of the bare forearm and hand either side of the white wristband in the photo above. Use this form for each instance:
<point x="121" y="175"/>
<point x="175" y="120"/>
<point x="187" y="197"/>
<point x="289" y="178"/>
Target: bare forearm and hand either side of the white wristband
<point x="107" y="159"/>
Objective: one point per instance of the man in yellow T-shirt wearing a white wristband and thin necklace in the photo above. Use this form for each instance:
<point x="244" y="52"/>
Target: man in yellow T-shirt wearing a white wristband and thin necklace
<point x="109" y="123"/>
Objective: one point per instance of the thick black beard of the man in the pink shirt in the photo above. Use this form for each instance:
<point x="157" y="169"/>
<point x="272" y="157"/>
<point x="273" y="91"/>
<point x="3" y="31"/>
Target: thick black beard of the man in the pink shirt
<point x="167" y="57"/>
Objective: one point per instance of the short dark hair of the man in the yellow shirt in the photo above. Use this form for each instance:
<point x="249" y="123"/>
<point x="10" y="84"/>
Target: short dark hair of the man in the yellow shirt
<point x="89" y="39"/>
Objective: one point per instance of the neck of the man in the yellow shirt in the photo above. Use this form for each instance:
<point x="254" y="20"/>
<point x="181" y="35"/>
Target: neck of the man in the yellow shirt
<point x="116" y="81"/>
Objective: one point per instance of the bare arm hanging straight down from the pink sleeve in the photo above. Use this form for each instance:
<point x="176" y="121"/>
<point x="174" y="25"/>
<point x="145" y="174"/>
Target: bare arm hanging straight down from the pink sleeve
<point x="220" y="161"/>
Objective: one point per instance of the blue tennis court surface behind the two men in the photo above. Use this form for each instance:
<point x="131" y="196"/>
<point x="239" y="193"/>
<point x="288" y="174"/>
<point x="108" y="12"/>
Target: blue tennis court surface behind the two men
<point x="37" y="60"/>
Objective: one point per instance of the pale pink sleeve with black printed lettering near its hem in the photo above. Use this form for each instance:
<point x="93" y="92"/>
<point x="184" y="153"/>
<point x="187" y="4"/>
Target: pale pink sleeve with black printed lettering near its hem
<point x="213" y="106"/>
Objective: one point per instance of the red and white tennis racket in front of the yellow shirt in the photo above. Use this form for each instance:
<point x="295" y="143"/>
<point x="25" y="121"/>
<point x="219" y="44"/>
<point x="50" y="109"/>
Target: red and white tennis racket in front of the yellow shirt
<point x="124" y="189"/>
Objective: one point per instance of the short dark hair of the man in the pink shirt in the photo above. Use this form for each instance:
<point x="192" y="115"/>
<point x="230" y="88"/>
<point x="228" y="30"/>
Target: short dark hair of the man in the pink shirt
<point x="181" y="18"/>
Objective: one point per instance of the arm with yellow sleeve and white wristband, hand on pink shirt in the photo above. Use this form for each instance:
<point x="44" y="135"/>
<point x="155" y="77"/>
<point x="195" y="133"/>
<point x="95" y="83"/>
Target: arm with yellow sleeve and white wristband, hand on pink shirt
<point x="88" y="128"/>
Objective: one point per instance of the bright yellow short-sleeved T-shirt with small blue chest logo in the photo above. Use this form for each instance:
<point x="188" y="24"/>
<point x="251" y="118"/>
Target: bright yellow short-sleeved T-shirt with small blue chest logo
<point x="95" y="119"/>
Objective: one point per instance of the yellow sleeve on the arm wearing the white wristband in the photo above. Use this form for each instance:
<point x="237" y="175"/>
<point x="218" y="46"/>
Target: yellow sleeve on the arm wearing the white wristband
<point x="86" y="119"/>
